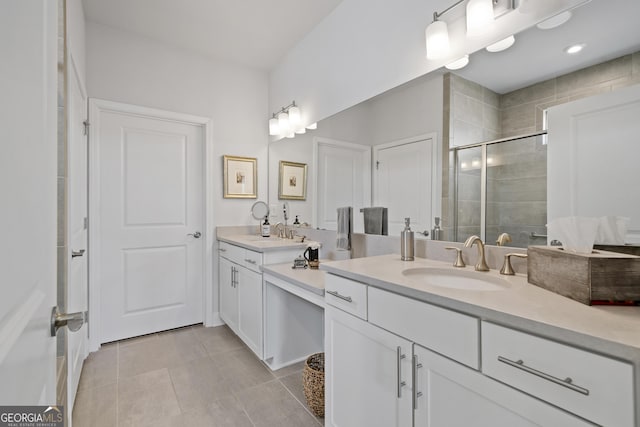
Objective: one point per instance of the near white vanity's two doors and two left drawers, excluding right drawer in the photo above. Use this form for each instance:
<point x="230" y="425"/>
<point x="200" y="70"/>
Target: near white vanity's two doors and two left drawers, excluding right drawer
<point x="389" y="368"/>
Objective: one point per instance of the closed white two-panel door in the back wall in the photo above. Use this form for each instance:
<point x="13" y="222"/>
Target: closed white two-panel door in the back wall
<point x="151" y="217"/>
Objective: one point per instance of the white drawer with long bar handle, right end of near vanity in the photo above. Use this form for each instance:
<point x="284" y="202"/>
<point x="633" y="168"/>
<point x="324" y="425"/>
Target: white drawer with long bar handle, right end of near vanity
<point x="592" y="386"/>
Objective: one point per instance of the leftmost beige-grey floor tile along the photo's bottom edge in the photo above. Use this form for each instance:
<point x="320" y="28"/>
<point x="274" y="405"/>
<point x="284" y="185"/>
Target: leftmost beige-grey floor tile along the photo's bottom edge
<point x="96" y="407"/>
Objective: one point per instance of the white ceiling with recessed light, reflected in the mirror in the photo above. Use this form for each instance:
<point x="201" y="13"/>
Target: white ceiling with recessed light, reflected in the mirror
<point x="609" y="28"/>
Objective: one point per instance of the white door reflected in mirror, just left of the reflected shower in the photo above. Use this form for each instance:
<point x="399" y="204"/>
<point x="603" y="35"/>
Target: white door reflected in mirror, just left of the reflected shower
<point x="404" y="175"/>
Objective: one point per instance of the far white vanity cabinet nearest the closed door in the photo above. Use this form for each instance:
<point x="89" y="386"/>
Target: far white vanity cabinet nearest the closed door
<point x="241" y="290"/>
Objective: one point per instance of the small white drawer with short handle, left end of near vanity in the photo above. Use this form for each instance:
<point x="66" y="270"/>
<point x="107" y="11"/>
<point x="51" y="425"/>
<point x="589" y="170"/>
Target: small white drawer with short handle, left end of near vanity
<point x="347" y="295"/>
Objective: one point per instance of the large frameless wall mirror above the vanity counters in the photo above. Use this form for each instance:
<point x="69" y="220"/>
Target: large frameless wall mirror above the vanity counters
<point x="417" y="149"/>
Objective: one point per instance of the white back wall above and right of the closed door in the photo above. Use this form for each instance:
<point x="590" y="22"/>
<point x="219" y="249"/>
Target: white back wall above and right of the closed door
<point x="127" y="68"/>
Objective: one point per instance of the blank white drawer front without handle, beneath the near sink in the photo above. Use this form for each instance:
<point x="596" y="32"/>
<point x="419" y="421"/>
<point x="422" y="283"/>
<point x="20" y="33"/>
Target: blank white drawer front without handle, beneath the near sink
<point x="447" y="332"/>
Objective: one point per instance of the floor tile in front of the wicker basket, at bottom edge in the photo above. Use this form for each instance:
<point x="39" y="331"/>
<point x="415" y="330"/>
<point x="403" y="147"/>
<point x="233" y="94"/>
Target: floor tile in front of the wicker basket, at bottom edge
<point x="271" y="405"/>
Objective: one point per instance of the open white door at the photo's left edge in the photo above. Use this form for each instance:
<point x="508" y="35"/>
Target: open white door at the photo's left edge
<point x="28" y="36"/>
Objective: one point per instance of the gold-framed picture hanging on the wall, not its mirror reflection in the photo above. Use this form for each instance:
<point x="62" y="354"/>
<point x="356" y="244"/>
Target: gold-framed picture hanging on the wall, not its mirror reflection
<point x="240" y="177"/>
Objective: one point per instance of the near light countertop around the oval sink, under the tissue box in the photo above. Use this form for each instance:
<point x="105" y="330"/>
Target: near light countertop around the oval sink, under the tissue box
<point x="615" y="329"/>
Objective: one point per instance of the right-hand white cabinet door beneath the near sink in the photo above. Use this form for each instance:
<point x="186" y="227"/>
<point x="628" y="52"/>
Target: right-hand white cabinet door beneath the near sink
<point x="452" y="395"/>
